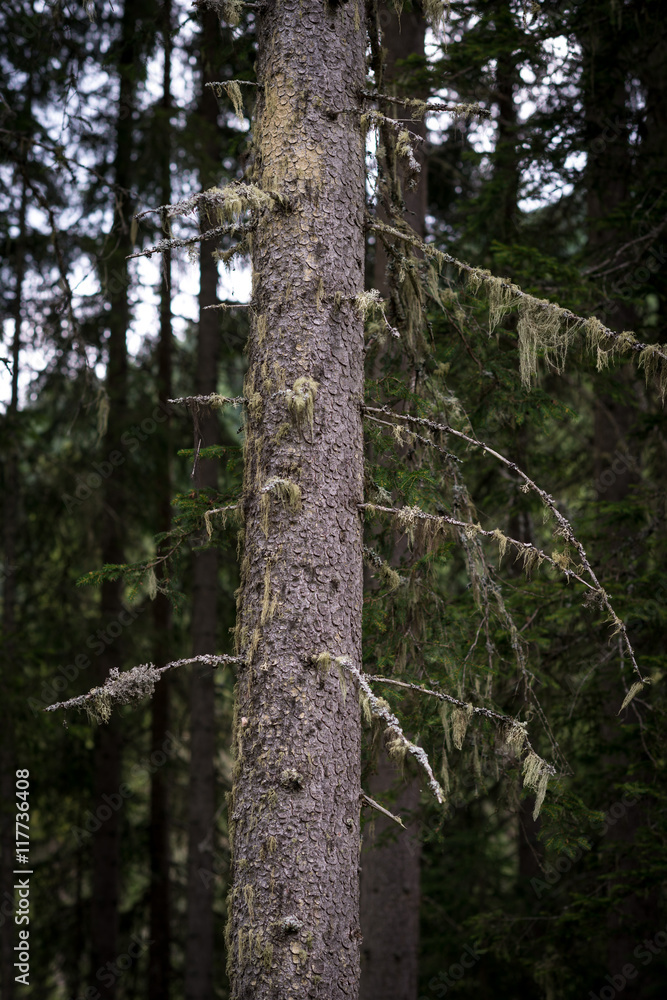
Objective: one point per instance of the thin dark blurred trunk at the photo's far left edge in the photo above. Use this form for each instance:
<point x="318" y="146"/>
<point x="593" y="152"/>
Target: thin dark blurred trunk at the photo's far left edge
<point x="8" y="644"/>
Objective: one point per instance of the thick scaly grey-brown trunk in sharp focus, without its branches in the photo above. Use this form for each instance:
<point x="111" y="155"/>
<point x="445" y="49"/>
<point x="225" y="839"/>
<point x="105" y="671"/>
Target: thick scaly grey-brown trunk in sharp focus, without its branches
<point x="294" y="809"/>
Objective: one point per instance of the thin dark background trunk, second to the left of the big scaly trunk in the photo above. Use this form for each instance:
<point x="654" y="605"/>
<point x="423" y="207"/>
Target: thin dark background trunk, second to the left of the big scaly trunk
<point x="159" y="959"/>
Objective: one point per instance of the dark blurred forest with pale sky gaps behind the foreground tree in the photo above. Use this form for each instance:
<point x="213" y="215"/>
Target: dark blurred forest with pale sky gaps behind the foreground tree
<point x="551" y="172"/>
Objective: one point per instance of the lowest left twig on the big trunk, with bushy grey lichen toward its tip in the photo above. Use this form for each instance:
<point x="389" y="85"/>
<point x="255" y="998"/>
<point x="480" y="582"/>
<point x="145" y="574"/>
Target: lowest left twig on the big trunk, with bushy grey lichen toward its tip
<point x="139" y="682"/>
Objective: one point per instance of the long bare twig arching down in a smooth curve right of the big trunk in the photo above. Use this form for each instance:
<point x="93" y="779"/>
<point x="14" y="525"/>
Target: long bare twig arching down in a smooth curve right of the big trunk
<point x="564" y="527"/>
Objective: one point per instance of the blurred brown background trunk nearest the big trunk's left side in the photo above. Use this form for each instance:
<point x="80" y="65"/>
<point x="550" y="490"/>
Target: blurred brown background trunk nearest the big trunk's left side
<point x="201" y="794"/>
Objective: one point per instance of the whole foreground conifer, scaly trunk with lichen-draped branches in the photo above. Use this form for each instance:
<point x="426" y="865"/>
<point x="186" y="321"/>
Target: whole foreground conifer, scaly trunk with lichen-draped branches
<point x="294" y="806"/>
